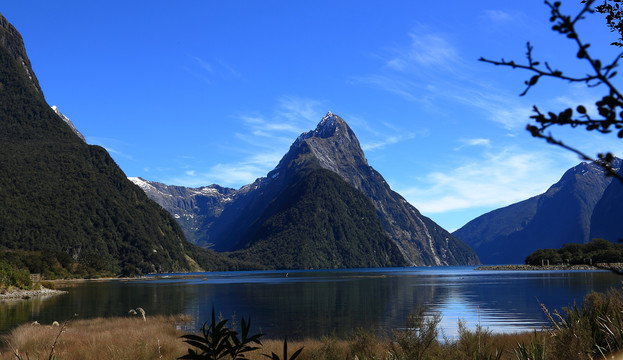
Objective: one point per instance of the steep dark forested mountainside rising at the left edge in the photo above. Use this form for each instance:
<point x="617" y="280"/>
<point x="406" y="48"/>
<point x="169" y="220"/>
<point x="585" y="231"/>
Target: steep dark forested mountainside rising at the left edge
<point x="60" y="194"/>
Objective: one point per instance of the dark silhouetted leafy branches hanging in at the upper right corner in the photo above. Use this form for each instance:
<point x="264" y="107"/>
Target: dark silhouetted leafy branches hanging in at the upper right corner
<point x="600" y="74"/>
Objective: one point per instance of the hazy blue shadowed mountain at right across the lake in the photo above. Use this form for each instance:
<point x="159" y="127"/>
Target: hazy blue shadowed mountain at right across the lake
<point x="582" y="205"/>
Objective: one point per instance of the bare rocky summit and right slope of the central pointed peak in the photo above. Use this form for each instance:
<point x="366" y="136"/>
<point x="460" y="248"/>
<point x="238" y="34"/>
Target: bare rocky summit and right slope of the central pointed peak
<point x="334" y="146"/>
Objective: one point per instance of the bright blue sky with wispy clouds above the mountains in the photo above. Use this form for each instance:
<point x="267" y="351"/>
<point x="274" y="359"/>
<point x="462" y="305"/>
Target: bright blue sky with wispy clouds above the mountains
<point x="200" y="92"/>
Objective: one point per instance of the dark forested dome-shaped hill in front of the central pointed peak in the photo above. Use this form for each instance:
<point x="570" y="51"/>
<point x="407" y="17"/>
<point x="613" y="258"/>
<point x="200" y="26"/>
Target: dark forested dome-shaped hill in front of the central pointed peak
<point x="317" y="222"/>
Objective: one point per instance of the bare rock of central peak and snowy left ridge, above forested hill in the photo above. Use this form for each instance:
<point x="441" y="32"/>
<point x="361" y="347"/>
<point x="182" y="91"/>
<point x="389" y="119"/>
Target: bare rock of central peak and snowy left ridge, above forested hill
<point x="220" y="217"/>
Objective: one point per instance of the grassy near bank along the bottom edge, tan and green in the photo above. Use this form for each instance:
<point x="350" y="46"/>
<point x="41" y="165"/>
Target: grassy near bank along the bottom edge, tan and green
<point x="589" y="331"/>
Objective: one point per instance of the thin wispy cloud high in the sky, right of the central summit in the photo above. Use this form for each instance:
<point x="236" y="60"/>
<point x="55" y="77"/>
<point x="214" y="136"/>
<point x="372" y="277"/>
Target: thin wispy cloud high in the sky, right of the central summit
<point x="429" y="70"/>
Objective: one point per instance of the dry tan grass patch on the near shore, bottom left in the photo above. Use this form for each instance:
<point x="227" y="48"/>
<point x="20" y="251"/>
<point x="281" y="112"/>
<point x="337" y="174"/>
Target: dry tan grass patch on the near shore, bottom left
<point x="102" y="338"/>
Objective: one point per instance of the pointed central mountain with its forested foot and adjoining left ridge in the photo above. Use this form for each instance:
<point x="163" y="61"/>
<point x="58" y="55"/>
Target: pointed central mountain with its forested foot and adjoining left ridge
<point x="315" y="199"/>
